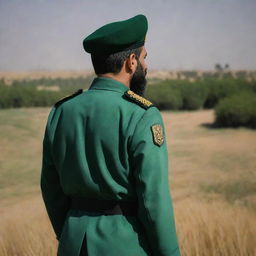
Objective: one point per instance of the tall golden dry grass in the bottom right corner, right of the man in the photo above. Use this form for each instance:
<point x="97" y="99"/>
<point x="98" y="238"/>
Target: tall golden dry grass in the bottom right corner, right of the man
<point x="216" y="229"/>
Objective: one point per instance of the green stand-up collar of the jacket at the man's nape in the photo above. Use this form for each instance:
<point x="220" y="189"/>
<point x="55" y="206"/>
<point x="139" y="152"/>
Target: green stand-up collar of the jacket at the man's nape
<point x="108" y="84"/>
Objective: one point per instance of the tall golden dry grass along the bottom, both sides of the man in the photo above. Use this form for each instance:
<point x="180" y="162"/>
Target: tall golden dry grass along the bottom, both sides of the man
<point x="204" y="229"/>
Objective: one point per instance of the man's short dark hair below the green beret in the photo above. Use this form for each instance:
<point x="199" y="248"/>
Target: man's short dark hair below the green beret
<point x="112" y="63"/>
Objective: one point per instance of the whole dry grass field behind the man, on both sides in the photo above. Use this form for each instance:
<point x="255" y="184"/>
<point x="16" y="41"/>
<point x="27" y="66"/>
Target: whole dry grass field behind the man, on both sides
<point x="212" y="179"/>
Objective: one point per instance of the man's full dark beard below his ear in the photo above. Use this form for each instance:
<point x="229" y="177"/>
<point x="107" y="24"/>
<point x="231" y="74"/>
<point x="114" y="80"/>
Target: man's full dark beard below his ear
<point x="138" y="82"/>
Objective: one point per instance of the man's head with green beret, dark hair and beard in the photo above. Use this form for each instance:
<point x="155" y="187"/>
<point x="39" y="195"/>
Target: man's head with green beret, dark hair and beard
<point x="117" y="50"/>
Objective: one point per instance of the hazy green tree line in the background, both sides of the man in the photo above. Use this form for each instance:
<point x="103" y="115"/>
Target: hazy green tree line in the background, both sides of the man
<point x="194" y="92"/>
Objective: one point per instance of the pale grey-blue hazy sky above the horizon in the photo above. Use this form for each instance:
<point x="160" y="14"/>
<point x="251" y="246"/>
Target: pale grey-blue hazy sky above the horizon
<point x="183" y="34"/>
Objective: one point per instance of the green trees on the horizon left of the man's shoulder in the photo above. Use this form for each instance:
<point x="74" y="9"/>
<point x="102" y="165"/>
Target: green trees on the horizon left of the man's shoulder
<point x="25" y="93"/>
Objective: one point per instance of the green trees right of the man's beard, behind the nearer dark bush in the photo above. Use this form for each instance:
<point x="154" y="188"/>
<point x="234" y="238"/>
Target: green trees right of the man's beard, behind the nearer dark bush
<point x="186" y="95"/>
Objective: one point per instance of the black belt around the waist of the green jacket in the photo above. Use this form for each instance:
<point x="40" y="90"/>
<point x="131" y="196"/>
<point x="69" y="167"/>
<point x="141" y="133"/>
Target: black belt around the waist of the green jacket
<point x="105" y="207"/>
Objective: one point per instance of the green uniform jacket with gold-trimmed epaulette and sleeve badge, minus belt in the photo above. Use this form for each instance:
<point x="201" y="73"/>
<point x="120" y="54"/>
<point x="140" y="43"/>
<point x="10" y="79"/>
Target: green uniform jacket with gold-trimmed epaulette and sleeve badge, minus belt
<point x="100" y="145"/>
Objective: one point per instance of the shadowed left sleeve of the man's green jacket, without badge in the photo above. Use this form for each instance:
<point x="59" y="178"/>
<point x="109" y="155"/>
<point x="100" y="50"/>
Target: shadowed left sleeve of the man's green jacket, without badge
<point x="56" y="202"/>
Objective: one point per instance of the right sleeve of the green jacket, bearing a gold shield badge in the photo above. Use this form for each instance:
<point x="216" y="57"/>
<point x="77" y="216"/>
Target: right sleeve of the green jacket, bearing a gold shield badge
<point x="150" y="164"/>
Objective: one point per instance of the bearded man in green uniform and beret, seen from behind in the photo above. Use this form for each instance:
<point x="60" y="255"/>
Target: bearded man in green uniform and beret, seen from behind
<point x="105" y="168"/>
